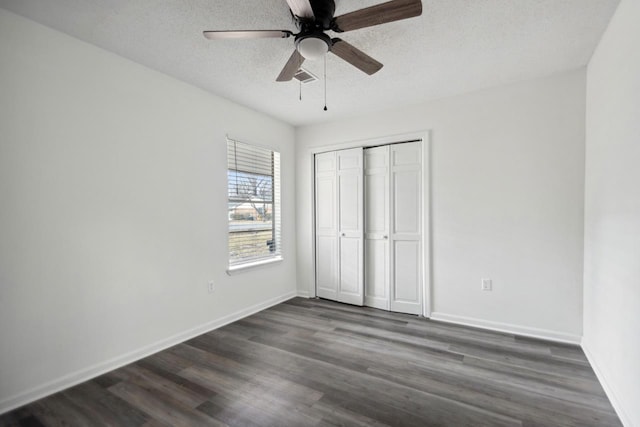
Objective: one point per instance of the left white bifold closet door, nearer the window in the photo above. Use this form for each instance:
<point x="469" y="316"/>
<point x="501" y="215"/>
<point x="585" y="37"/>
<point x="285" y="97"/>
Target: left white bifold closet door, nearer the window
<point x="339" y="226"/>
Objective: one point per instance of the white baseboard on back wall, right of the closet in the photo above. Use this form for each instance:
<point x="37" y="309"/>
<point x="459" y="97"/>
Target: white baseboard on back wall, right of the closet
<point x="508" y="328"/>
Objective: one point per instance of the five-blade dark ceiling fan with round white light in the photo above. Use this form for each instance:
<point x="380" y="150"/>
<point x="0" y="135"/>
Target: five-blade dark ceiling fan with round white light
<point x="314" y="17"/>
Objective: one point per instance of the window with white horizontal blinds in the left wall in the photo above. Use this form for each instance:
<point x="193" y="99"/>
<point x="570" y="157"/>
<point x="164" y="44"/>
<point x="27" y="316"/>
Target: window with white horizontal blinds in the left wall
<point x="253" y="177"/>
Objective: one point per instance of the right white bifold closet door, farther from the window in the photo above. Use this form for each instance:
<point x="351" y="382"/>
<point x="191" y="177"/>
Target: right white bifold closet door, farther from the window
<point x="393" y="223"/>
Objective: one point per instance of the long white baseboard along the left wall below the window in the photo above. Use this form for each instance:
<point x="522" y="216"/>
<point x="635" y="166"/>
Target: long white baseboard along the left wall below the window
<point x="82" y="375"/>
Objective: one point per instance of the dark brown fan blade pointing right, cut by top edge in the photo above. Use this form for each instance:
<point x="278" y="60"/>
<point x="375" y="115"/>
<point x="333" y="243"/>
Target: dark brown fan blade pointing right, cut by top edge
<point x="394" y="10"/>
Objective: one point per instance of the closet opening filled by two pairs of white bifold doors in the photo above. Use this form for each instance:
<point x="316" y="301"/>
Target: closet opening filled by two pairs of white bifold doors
<point x="369" y="226"/>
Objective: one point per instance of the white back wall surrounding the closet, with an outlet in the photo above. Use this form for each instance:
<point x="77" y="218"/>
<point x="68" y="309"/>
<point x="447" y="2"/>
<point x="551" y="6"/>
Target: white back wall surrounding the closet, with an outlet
<point x="507" y="201"/>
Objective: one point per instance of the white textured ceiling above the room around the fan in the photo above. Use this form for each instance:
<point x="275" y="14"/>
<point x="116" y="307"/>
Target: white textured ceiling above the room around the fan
<point x="456" y="46"/>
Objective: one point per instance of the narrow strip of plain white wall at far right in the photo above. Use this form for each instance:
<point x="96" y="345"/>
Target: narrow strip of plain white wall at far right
<point x="612" y="212"/>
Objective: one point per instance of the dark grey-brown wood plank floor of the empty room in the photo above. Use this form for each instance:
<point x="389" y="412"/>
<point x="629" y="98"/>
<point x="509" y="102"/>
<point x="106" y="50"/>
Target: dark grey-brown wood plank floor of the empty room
<point x="319" y="363"/>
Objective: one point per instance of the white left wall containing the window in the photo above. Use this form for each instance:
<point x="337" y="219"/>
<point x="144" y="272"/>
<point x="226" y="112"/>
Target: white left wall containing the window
<point x="112" y="211"/>
